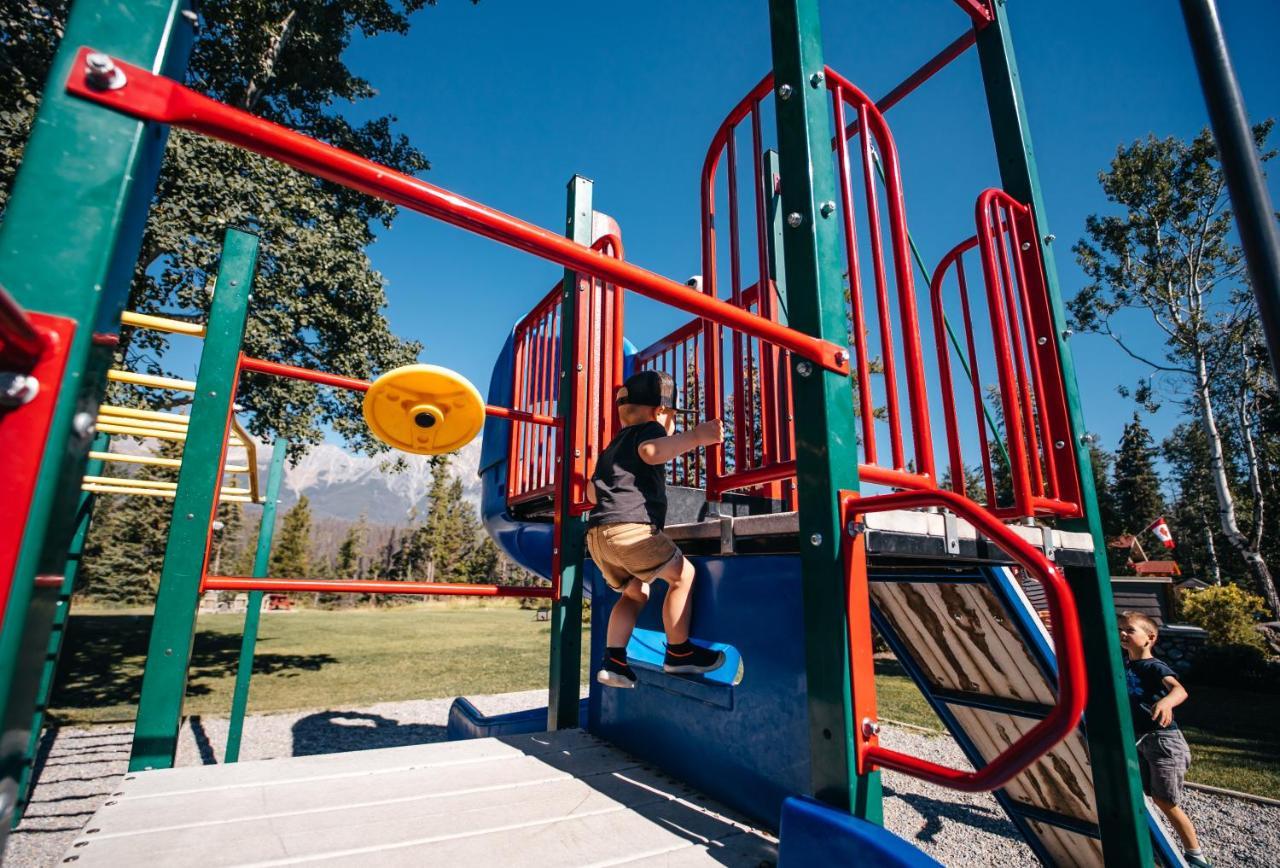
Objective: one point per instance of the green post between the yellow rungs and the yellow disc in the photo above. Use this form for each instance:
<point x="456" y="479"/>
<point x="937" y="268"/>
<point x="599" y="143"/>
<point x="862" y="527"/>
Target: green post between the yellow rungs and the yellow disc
<point x="164" y="680"/>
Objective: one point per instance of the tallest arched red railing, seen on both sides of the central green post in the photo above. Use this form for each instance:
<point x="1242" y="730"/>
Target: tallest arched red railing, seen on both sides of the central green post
<point x="762" y="415"/>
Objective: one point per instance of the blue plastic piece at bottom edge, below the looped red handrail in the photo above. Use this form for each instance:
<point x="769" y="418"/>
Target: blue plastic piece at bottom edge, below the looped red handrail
<point x="816" y="834"/>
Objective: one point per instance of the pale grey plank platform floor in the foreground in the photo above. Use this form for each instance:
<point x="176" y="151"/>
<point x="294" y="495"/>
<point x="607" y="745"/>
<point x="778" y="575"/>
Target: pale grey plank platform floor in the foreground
<point x="546" y="800"/>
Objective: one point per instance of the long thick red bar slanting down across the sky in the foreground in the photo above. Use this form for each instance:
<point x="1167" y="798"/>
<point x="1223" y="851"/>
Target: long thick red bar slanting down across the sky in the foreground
<point x="154" y="98"/>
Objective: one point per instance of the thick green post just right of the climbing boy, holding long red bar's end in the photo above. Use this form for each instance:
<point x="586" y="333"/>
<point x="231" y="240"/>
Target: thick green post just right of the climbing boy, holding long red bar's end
<point x="825" y="424"/>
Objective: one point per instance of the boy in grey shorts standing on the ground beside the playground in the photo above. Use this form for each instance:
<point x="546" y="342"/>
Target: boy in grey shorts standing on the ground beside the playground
<point x="1163" y="752"/>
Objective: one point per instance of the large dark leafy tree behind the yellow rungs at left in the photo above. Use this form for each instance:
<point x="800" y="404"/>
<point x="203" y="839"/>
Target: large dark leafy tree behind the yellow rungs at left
<point x="318" y="300"/>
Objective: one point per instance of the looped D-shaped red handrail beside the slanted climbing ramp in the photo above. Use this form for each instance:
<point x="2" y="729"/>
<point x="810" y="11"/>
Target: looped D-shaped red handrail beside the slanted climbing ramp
<point x="1066" y="629"/>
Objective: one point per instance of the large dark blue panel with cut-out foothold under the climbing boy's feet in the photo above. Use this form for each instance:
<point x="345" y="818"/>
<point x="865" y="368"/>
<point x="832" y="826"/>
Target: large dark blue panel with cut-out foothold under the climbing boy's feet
<point x="744" y="744"/>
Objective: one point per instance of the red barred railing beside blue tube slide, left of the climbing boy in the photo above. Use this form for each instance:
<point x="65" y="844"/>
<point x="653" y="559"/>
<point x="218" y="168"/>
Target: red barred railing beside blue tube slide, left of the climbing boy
<point x="533" y="450"/>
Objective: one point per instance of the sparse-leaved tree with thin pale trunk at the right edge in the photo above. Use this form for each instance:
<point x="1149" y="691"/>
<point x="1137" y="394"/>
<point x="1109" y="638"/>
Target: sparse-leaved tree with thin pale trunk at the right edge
<point x="1169" y="258"/>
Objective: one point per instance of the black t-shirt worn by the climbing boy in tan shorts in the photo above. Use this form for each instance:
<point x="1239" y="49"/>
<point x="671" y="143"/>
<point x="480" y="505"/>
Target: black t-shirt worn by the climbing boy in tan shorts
<point x="627" y="487"/>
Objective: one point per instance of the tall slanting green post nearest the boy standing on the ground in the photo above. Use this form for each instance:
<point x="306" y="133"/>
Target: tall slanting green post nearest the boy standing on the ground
<point x="1122" y="821"/>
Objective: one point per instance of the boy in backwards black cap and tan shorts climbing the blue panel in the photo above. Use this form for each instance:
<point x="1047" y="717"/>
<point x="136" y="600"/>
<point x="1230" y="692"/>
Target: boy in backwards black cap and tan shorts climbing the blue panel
<point x="629" y="492"/>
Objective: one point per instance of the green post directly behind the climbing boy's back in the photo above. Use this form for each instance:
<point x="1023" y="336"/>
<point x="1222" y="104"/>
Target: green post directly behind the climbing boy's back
<point x="566" y="657"/>
